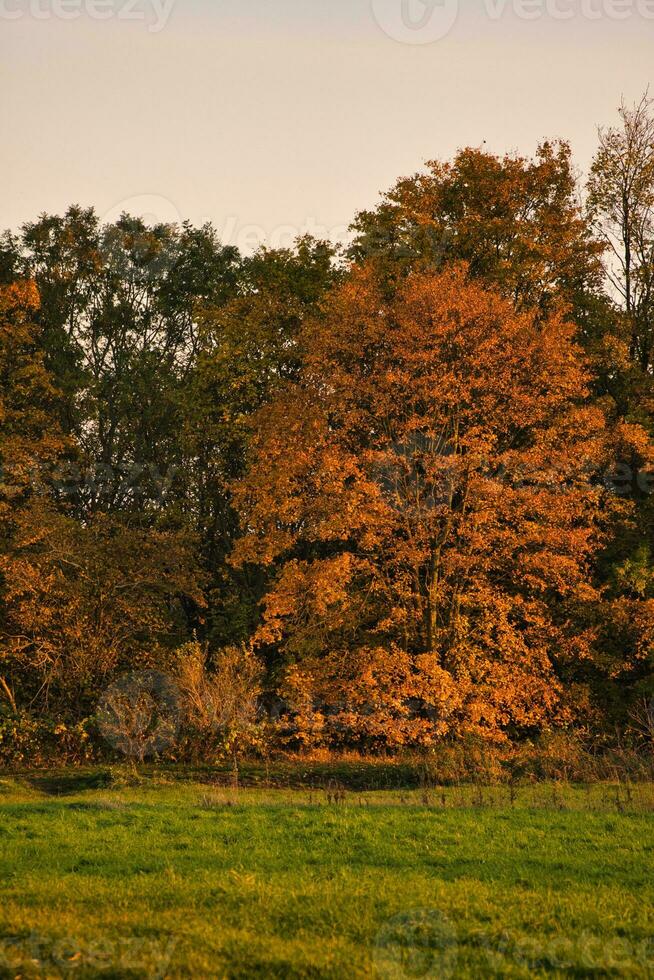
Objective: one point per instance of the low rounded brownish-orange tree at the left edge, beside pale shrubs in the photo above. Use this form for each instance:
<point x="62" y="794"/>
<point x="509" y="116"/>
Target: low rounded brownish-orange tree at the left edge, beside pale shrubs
<point x="83" y="603"/>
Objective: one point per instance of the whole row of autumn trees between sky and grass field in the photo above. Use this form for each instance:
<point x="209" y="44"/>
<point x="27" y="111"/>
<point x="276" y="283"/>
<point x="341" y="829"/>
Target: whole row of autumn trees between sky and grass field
<point x="405" y="491"/>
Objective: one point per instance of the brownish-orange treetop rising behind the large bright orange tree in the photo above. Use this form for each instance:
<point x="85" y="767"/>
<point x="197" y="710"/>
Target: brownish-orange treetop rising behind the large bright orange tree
<point x="515" y="221"/>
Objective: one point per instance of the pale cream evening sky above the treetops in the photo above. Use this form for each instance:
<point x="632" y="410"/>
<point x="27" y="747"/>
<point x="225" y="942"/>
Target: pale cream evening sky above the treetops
<point x="270" y="118"/>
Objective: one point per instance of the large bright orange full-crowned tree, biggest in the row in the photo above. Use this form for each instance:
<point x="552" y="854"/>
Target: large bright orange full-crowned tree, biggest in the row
<point x="423" y="498"/>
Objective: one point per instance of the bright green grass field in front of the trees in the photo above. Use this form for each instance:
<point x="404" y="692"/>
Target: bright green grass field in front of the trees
<point x="172" y="879"/>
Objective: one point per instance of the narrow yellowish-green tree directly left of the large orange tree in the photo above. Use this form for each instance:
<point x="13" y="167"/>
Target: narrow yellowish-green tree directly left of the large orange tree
<point x="248" y="348"/>
